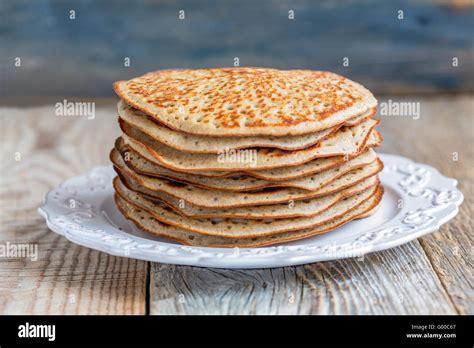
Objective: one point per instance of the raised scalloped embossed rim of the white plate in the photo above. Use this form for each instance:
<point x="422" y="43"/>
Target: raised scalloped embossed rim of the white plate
<point x="259" y="257"/>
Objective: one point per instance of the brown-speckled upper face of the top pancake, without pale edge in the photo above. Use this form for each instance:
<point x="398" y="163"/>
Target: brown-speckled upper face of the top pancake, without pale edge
<point x="264" y="97"/>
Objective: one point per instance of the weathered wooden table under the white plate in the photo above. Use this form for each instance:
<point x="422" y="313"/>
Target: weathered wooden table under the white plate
<point x="432" y="275"/>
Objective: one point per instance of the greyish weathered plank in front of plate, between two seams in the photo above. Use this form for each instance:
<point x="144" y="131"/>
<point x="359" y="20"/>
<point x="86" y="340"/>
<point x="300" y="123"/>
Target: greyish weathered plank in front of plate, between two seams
<point x="398" y="281"/>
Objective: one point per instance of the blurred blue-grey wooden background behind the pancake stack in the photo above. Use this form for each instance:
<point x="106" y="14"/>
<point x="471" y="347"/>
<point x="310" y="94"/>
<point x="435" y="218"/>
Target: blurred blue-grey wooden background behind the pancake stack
<point x="81" y="57"/>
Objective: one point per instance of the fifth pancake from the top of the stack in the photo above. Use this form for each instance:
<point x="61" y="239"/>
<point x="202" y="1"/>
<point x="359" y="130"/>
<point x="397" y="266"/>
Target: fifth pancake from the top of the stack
<point x="225" y="199"/>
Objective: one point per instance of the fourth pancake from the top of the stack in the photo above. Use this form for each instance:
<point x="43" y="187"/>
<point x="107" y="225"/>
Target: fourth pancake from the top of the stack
<point x="241" y="183"/>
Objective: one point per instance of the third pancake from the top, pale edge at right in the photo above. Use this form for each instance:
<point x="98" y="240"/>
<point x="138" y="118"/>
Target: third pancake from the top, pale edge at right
<point x="346" y="141"/>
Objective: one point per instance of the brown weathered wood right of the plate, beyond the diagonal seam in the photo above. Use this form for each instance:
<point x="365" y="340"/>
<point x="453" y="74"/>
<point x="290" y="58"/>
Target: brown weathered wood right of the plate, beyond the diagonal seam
<point x="443" y="137"/>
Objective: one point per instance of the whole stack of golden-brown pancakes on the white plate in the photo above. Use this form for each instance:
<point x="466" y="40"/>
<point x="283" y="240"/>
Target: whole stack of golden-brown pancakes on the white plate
<point x="245" y="157"/>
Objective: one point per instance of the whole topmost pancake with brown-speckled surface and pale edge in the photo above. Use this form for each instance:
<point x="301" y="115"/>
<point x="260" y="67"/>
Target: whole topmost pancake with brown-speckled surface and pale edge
<point x="246" y="101"/>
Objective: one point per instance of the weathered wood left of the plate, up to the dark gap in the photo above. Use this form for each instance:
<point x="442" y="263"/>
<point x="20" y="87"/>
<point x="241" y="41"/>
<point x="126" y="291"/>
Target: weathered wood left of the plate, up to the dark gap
<point x="66" y="278"/>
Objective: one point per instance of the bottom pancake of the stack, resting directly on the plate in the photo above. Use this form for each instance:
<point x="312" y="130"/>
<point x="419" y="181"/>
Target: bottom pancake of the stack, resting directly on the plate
<point x="148" y="223"/>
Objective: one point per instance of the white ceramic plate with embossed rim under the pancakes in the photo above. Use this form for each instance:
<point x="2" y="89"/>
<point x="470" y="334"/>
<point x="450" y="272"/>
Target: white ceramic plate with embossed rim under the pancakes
<point x="417" y="200"/>
